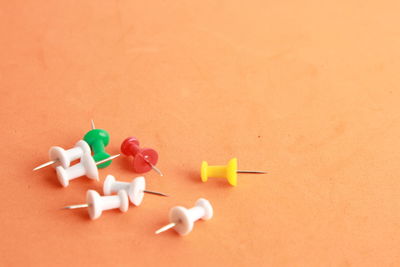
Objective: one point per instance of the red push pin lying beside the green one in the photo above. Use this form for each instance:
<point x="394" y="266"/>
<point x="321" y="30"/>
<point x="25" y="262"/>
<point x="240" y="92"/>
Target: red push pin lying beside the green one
<point x="144" y="159"/>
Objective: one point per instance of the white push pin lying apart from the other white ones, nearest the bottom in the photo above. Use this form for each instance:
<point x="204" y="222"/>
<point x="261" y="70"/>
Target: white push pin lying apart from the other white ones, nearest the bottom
<point x="182" y="219"/>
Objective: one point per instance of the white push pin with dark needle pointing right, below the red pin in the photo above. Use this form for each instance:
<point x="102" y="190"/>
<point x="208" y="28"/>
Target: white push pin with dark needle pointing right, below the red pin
<point x="135" y="189"/>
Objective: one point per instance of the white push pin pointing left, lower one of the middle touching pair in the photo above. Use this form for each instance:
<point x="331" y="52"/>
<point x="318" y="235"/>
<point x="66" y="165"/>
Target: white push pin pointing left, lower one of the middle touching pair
<point x="96" y="203"/>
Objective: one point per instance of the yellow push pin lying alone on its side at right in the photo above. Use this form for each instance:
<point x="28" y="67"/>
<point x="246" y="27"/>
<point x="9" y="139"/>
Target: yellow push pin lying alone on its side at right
<point x="229" y="171"/>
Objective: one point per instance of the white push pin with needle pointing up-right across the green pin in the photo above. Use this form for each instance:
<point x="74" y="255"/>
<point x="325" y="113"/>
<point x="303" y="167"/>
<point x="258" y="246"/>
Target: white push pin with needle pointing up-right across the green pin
<point x="86" y="167"/>
